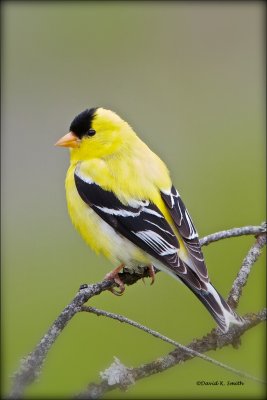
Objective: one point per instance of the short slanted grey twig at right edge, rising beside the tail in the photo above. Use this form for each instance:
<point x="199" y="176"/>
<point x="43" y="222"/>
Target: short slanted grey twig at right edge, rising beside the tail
<point x="243" y="274"/>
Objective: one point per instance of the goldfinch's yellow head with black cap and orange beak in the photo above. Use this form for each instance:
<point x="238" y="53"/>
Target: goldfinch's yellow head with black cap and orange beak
<point x="96" y="133"/>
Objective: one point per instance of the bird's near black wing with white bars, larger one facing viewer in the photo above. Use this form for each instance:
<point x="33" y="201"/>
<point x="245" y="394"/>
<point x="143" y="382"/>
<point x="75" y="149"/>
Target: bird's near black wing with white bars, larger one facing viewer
<point x="139" y="221"/>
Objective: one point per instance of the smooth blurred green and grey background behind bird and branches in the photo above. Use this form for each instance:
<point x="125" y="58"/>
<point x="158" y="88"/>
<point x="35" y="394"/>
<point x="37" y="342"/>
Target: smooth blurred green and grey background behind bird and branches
<point x="189" y="77"/>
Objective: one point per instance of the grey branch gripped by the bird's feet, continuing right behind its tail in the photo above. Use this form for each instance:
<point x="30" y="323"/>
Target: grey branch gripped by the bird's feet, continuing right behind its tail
<point x="31" y="365"/>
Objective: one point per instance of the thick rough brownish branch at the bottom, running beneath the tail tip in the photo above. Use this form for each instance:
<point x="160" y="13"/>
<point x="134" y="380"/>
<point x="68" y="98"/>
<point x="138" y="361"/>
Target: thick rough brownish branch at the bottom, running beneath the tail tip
<point x="212" y="341"/>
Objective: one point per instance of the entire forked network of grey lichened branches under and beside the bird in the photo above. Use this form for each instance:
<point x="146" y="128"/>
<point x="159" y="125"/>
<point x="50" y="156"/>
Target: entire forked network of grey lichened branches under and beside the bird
<point x="118" y="375"/>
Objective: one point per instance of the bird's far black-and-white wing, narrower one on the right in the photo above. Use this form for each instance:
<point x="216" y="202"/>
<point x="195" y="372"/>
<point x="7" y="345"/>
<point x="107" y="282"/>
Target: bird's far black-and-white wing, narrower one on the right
<point x="185" y="226"/>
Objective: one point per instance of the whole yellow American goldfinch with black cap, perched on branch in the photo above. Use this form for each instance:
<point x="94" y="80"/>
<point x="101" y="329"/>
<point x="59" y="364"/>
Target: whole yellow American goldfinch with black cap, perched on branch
<point x="121" y="199"/>
